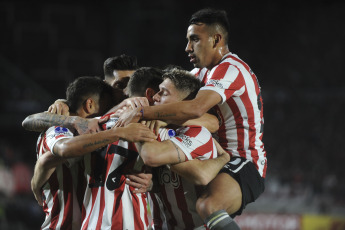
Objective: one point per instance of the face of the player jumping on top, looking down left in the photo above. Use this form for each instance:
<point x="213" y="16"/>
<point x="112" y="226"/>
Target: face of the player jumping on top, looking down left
<point x="200" y="46"/>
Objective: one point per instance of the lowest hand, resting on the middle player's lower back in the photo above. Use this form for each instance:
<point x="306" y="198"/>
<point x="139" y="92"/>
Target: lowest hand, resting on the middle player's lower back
<point x="142" y="182"/>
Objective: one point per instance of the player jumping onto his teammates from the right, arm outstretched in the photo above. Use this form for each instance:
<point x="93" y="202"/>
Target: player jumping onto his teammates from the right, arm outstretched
<point x="232" y="88"/>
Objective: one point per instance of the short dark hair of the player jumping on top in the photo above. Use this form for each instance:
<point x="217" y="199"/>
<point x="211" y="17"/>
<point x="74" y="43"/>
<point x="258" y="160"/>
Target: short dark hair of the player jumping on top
<point x="212" y="17"/>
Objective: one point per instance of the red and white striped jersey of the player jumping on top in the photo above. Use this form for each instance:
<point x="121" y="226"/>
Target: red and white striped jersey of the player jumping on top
<point x="241" y="108"/>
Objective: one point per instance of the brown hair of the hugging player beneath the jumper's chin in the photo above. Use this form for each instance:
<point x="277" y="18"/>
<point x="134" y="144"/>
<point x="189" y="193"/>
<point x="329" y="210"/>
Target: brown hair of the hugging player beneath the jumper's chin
<point x="184" y="81"/>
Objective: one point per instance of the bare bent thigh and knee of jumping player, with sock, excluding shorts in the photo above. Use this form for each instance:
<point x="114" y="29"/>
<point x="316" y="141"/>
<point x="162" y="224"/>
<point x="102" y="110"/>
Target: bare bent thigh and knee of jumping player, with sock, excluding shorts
<point x="223" y="195"/>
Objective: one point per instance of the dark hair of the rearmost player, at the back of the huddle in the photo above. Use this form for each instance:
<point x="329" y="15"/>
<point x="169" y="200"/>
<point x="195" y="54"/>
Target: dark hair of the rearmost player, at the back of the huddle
<point x="122" y="62"/>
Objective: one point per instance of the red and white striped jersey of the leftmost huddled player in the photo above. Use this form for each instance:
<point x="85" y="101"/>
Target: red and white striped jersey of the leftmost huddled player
<point x="62" y="205"/>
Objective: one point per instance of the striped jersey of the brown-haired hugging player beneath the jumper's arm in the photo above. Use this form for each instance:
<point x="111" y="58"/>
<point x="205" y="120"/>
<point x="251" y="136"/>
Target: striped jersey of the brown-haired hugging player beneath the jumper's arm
<point x="174" y="206"/>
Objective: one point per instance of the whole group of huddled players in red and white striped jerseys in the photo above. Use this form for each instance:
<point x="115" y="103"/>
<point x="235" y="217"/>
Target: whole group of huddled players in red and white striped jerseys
<point x="187" y="145"/>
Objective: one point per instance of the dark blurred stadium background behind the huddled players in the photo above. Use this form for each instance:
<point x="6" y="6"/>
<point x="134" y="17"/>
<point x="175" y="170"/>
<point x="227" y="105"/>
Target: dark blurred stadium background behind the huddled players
<point x="296" y="49"/>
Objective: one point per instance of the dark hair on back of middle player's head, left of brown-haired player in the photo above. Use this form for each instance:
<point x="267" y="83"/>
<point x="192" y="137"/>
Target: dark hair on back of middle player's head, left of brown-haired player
<point x="143" y="78"/>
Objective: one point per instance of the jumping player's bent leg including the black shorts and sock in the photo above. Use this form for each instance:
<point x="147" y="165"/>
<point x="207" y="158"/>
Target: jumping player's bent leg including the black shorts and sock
<point x="238" y="184"/>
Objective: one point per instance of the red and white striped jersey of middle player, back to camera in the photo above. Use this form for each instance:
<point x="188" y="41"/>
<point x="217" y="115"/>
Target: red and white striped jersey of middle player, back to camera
<point x="109" y="203"/>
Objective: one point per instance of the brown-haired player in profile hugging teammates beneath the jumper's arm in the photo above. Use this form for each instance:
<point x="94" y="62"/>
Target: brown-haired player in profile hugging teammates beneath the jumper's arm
<point x="177" y="194"/>
